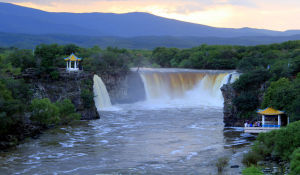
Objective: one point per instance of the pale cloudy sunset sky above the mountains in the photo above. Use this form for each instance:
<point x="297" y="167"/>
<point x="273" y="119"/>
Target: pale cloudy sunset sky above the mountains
<point x="264" y="14"/>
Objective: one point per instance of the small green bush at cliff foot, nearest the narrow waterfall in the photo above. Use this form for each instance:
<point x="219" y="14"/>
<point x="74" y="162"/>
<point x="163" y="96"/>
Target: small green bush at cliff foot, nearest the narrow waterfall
<point x="67" y="112"/>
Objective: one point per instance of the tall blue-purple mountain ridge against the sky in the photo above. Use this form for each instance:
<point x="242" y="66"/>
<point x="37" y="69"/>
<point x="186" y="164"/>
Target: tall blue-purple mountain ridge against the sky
<point x="18" y="19"/>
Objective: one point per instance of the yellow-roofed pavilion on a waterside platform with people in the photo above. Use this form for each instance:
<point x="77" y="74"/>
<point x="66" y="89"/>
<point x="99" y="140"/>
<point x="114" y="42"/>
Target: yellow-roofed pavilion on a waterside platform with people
<point x="270" y="119"/>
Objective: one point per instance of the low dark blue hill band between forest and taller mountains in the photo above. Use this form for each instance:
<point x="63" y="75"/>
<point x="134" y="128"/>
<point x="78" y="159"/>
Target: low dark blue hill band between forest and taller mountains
<point x="143" y="42"/>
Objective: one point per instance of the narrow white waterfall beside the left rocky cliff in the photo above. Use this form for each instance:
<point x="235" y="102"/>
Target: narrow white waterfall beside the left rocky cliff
<point x="101" y="96"/>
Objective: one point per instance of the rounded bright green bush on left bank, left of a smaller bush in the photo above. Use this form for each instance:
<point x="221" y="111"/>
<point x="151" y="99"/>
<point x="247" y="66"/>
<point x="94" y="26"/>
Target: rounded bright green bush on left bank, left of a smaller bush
<point x="44" y="112"/>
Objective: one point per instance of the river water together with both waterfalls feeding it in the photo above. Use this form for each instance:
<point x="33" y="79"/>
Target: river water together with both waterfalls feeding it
<point x="178" y="129"/>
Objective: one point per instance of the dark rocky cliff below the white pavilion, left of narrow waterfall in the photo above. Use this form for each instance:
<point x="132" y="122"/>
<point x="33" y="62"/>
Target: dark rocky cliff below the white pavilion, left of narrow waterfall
<point x="65" y="85"/>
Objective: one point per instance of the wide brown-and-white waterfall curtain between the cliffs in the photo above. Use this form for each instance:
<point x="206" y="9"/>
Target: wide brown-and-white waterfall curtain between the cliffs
<point x="186" y="86"/>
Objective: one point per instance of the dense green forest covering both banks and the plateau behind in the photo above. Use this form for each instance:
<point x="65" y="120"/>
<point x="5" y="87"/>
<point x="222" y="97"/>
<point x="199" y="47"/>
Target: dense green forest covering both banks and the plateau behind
<point x="270" y="77"/>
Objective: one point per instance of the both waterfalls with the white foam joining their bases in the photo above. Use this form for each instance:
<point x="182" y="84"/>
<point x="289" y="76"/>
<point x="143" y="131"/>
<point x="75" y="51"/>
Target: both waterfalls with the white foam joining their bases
<point x="172" y="88"/>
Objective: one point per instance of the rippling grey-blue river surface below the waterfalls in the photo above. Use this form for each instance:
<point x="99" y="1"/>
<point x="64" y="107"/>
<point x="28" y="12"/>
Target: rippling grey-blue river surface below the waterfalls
<point x="164" y="141"/>
